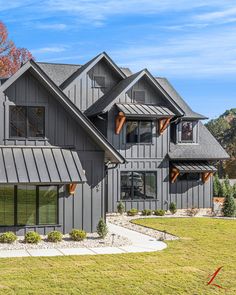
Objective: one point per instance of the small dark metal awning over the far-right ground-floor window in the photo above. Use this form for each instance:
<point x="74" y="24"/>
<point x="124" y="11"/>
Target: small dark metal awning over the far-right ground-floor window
<point x="196" y="166"/>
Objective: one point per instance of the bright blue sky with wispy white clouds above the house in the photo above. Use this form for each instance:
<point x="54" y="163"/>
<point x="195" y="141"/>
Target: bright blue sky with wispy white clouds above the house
<point x="192" y="43"/>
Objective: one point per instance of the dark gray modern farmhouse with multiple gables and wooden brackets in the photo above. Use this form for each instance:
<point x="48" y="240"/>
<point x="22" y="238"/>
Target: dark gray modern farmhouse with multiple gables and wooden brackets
<point x="75" y="140"/>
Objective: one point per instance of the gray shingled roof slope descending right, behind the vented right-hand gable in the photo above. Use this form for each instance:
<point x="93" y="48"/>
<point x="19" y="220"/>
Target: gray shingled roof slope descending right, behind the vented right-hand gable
<point x="188" y="112"/>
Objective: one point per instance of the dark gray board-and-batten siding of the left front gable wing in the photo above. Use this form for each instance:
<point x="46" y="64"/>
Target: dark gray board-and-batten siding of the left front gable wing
<point x="83" y="209"/>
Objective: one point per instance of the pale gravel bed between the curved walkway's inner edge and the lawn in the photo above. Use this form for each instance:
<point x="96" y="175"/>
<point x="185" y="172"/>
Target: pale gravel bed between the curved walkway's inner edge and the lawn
<point x="124" y="220"/>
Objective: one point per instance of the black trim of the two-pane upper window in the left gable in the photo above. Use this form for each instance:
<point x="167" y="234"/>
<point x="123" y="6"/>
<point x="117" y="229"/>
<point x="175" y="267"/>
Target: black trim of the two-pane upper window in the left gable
<point x="27" y="122"/>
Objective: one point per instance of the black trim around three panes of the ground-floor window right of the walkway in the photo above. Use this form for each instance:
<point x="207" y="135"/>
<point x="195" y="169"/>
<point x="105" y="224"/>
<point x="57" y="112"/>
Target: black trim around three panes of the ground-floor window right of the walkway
<point x="132" y="189"/>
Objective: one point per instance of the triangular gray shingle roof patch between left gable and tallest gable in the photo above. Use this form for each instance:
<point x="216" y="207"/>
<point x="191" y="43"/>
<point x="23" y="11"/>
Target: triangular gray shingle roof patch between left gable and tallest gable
<point x="58" y="73"/>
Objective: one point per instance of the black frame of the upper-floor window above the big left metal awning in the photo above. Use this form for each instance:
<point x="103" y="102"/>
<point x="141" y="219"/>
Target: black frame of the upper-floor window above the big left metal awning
<point x="27" y="108"/>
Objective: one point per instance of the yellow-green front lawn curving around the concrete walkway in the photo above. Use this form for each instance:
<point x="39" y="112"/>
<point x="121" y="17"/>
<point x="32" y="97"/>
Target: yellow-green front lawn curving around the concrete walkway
<point x="182" y="268"/>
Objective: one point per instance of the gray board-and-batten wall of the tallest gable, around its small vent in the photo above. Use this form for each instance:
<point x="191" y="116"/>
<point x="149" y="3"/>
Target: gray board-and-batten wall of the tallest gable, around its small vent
<point x="83" y="91"/>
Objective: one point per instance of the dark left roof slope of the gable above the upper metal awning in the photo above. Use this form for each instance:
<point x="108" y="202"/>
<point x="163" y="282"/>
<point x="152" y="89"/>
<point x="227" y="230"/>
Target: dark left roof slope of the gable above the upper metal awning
<point x="103" y="102"/>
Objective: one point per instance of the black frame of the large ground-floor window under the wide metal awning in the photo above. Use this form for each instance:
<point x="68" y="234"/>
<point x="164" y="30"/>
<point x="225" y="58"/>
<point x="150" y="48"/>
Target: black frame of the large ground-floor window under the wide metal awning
<point x="16" y="224"/>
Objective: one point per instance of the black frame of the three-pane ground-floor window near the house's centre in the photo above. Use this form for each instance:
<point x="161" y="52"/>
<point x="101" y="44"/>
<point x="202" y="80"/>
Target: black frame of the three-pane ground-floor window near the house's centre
<point x="132" y="187"/>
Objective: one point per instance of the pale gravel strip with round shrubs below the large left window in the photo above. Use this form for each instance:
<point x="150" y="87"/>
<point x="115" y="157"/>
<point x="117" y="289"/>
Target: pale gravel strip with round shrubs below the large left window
<point x="91" y="241"/>
